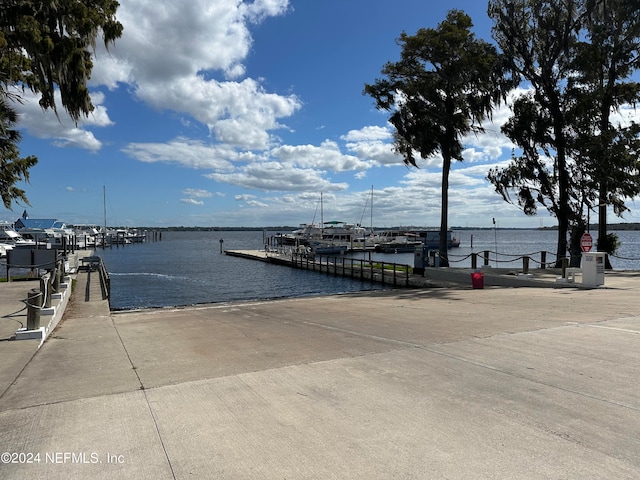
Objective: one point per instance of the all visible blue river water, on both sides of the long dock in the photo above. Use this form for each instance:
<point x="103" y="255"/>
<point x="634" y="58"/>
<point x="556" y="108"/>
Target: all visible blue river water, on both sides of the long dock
<point x="187" y="268"/>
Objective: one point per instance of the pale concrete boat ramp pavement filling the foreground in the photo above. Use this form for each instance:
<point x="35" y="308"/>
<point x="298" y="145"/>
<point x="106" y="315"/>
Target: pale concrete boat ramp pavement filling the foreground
<point x="453" y="383"/>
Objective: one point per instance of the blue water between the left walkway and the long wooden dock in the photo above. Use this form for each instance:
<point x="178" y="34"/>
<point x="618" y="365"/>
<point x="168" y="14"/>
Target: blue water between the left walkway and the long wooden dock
<point x="187" y="268"/>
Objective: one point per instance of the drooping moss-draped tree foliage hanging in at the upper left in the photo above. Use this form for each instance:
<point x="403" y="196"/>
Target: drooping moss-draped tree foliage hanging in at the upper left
<point x="46" y="46"/>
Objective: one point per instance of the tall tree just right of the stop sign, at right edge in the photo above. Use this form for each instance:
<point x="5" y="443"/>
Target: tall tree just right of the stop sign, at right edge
<point x="604" y="64"/>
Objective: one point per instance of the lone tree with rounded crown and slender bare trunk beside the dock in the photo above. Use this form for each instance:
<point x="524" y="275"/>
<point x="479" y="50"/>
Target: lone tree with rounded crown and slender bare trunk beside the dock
<point x="445" y="84"/>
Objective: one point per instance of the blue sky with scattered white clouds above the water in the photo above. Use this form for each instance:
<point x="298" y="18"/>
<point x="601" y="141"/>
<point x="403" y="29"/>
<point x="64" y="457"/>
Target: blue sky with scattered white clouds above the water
<point x="218" y="113"/>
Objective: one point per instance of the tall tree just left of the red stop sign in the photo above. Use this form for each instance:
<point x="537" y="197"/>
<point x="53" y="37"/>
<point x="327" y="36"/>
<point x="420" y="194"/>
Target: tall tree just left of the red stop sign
<point x="537" y="38"/>
